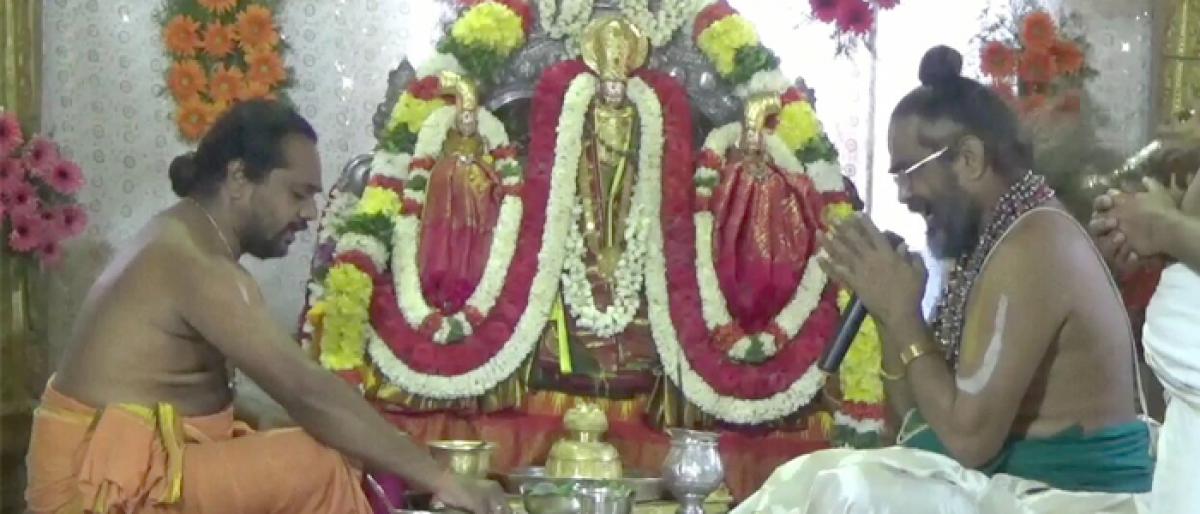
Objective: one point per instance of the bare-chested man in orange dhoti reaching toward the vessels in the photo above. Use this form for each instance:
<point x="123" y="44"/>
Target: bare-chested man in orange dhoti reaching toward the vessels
<point x="139" y="417"/>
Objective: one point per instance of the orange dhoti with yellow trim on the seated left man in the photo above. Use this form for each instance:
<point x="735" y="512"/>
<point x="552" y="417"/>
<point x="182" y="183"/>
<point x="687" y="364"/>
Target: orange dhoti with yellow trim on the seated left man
<point x="136" y="459"/>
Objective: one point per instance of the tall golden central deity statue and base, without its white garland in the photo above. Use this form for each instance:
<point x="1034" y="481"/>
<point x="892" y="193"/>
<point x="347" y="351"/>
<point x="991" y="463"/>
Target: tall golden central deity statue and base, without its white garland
<point x="619" y="361"/>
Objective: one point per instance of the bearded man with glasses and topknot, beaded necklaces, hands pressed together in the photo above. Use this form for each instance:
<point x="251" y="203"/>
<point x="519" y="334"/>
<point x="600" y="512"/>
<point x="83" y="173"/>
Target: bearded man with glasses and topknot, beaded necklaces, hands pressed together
<point x="1021" y="395"/>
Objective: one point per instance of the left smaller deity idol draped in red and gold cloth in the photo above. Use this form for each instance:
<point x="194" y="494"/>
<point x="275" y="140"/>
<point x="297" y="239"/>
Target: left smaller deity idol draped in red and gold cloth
<point x="463" y="202"/>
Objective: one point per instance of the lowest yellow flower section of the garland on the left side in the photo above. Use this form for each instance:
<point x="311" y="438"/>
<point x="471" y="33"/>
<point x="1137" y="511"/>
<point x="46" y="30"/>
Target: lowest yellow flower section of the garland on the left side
<point x="346" y="314"/>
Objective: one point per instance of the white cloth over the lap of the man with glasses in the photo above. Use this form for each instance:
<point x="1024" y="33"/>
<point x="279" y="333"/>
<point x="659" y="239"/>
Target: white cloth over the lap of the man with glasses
<point x="903" y="481"/>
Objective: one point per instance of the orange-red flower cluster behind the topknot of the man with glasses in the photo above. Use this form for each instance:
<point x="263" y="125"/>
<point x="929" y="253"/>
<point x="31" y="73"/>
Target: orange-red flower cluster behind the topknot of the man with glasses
<point x="1034" y="62"/>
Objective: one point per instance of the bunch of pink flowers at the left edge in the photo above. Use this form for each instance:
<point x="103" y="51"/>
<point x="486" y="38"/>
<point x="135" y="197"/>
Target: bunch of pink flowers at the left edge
<point x="38" y="195"/>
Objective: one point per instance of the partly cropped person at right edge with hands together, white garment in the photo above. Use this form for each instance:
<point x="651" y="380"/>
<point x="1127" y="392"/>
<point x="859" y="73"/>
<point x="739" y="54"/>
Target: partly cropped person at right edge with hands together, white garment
<point x="1160" y="225"/>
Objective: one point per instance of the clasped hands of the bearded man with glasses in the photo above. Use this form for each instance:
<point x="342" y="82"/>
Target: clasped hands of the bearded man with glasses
<point x="890" y="283"/>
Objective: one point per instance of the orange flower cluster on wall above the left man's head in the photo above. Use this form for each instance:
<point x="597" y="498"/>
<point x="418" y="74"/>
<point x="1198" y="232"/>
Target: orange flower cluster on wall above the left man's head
<point x="223" y="52"/>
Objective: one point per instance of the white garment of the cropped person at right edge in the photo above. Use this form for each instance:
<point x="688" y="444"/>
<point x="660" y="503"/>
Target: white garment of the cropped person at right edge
<point x="1172" y="340"/>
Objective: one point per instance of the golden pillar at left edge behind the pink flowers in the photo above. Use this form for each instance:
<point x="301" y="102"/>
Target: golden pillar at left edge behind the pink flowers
<point x="22" y="342"/>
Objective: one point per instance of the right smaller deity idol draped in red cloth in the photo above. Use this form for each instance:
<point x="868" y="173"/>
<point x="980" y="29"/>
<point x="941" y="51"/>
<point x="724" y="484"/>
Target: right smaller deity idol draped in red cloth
<point x="766" y="222"/>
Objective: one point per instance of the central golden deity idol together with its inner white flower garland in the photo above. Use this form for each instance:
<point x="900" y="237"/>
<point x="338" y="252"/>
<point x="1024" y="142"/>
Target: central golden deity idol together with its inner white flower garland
<point x="611" y="136"/>
